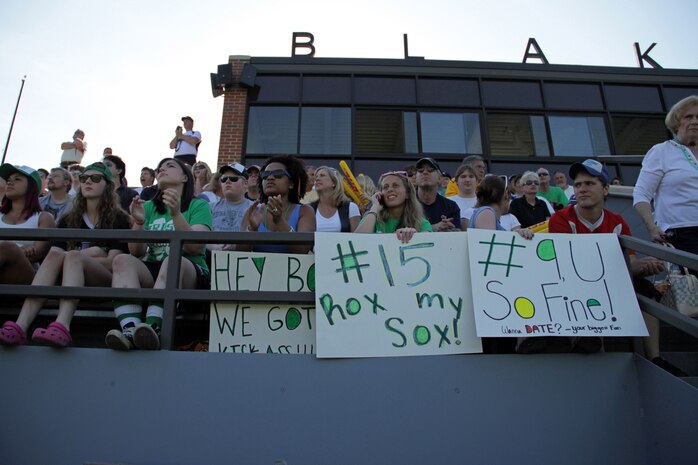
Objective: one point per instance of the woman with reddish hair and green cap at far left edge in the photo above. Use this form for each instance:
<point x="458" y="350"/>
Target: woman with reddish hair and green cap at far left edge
<point x="20" y="209"/>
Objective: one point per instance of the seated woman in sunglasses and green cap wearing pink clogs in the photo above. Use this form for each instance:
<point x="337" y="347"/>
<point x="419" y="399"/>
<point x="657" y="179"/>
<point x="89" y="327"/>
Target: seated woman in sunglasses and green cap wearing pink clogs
<point x="80" y="263"/>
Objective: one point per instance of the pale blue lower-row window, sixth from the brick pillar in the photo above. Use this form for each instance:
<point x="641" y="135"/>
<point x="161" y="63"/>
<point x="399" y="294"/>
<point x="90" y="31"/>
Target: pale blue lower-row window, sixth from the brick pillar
<point x="578" y="136"/>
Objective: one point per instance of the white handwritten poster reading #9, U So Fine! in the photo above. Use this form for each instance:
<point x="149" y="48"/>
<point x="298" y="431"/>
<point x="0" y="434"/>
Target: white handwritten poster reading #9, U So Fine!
<point x="552" y="285"/>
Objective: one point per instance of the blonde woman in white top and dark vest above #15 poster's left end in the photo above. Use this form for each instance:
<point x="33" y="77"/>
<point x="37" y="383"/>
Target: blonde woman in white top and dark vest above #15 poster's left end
<point x="332" y="212"/>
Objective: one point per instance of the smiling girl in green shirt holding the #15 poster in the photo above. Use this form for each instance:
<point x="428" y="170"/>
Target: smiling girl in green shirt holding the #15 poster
<point x="395" y="209"/>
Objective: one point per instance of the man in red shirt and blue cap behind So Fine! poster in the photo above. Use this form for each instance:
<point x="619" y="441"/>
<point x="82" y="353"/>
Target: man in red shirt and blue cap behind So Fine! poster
<point x="588" y="216"/>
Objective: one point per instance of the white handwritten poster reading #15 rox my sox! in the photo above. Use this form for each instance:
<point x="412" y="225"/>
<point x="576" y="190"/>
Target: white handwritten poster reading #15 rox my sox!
<point x="378" y="297"/>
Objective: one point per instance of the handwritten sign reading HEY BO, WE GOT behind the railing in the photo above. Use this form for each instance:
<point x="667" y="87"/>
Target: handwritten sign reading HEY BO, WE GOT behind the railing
<point x="243" y="327"/>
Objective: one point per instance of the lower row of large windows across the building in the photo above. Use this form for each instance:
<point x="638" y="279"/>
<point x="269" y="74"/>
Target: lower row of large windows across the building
<point x="328" y="131"/>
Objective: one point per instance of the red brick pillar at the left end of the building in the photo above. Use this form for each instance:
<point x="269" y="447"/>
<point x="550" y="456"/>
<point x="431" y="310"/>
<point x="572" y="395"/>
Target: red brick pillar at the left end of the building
<point x="233" y="120"/>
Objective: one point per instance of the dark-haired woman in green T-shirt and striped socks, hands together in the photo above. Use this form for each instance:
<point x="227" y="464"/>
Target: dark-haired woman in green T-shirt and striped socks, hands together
<point x="174" y="208"/>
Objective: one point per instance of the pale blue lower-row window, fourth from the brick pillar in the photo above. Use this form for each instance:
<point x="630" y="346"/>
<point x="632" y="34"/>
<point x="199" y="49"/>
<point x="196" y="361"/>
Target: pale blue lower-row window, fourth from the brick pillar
<point x="450" y="133"/>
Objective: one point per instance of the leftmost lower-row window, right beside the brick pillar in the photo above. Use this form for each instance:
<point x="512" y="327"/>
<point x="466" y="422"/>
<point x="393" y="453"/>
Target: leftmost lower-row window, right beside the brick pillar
<point x="272" y="130"/>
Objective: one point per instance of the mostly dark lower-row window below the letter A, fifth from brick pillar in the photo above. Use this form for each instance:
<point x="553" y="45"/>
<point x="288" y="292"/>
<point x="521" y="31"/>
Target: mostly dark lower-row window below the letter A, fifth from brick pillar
<point x="517" y="135"/>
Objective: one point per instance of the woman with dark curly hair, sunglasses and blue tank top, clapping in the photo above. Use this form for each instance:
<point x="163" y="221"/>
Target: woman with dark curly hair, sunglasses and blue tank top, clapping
<point x="282" y="183"/>
